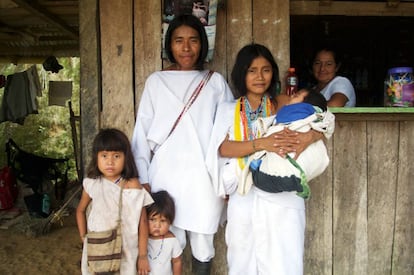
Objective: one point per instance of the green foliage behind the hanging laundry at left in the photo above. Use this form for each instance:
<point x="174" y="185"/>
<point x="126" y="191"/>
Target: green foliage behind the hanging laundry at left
<point x="48" y="133"/>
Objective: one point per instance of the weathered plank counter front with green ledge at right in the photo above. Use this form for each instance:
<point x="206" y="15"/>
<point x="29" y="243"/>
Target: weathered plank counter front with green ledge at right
<point x="360" y="215"/>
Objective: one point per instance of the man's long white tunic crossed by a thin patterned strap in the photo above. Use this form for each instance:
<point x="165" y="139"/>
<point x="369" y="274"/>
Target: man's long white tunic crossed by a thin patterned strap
<point x="178" y="163"/>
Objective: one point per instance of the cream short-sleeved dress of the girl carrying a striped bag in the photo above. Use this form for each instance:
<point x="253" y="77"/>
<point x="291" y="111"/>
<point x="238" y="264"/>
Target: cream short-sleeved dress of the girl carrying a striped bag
<point x="104" y="214"/>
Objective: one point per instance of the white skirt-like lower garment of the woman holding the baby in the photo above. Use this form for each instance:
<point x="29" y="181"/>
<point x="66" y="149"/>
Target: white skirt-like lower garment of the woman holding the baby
<point x="264" y="237"/>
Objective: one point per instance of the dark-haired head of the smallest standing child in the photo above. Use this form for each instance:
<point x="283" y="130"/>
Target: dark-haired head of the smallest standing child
<point x="160" y="214"/>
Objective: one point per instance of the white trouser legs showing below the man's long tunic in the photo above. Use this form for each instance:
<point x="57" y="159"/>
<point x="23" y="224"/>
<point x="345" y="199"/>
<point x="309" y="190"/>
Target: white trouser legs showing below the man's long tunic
<point x="202" y="245"/>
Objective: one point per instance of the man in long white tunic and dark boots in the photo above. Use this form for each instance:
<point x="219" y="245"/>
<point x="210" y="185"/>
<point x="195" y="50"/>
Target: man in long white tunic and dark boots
<point x="176" y="161"/>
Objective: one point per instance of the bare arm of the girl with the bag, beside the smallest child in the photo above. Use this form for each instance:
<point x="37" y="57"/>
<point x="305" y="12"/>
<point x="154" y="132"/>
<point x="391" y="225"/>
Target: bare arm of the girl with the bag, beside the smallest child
<point x="143" y="264"/>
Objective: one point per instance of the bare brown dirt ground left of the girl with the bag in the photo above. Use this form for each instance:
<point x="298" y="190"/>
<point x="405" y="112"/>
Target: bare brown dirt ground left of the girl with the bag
<point x="56" y="252"/>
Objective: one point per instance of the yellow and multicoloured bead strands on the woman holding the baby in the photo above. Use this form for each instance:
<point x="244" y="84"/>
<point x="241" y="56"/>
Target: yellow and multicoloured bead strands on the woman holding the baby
<point x="244" y="118"/>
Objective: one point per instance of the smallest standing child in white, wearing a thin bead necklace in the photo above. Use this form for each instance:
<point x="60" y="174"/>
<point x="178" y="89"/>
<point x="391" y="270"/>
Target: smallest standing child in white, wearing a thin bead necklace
<point x="164" y="250"/>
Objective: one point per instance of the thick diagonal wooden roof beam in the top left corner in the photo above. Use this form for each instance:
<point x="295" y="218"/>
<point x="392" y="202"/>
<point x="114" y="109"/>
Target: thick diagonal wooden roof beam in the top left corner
<point x="34" y="8"/>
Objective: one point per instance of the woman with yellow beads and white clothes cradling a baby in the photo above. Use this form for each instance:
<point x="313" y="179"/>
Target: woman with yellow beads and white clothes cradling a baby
<point x="265" y="231"/>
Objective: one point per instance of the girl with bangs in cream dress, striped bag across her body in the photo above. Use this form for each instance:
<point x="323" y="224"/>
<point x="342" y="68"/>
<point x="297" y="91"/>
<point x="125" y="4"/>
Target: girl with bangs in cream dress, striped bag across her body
<point x="112" y="167"/>
